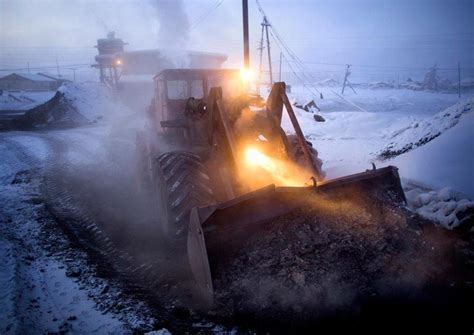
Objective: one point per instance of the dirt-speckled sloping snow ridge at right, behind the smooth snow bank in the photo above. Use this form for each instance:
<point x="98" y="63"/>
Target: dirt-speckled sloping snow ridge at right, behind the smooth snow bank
<point x="420" y="133"/>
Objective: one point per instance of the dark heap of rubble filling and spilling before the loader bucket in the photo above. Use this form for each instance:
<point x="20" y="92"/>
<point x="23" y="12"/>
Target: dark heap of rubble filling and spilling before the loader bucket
<point x="329" y="259"/>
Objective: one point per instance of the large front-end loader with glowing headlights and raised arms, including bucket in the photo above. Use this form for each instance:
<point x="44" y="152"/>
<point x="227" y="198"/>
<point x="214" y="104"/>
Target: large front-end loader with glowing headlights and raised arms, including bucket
<point x="219" y="165"/>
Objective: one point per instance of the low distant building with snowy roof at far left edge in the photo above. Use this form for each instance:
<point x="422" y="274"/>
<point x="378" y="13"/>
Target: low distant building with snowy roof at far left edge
<point x="26" y="81"/>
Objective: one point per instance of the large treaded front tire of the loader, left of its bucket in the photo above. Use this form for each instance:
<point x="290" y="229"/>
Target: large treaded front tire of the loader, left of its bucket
<point x="181" y="183"/>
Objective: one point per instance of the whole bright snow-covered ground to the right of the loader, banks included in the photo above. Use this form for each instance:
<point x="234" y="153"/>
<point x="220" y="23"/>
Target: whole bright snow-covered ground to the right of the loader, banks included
<point x="432" y="134"/>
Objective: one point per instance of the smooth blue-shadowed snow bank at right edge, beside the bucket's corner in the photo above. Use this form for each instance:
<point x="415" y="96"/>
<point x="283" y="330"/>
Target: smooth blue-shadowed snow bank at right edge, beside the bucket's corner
<point x="446" y="164"/>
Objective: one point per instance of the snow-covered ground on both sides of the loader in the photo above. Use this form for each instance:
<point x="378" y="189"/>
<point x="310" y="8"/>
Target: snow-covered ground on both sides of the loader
<point x="35" y="288"/>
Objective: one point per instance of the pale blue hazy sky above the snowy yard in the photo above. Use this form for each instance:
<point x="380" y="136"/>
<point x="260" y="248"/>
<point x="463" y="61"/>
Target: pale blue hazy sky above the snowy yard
<point x="379" y="38"/>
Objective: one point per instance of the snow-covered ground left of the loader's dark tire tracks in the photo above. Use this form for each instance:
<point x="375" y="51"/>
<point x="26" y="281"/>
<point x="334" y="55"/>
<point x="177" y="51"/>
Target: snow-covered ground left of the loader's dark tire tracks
<point x="41" y="289"/>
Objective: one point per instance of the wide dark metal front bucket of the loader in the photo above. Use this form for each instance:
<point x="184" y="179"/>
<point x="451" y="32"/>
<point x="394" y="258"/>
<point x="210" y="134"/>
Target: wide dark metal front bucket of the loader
<point x="217" y="232"/>
